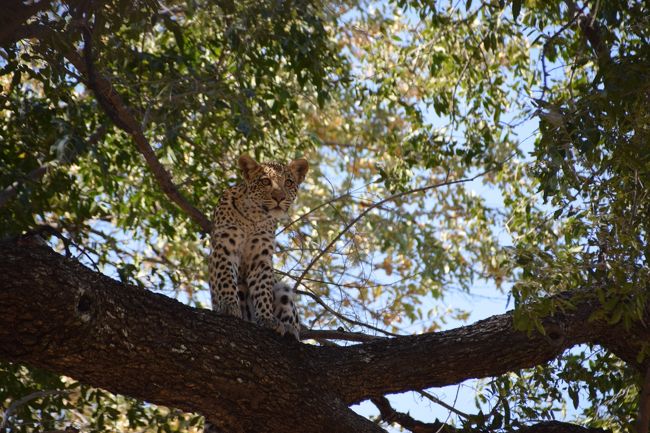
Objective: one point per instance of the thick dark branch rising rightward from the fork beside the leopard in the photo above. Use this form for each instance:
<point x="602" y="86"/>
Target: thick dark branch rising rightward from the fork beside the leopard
<point x="486" y="348"/>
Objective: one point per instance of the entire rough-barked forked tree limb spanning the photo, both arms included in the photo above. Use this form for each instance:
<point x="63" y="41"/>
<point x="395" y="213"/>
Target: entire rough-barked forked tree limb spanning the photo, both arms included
<point x="57" y="314"/>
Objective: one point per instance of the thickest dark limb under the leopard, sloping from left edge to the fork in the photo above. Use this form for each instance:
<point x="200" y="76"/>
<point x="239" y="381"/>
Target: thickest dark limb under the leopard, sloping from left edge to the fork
<point x="59" y="315"/>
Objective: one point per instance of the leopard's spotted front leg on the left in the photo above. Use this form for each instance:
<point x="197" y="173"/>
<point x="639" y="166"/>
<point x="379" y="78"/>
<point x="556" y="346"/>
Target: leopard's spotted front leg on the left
<point x="224" y="271"/>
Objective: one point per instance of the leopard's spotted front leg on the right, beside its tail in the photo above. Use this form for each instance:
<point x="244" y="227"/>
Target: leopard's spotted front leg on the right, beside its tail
<point x="260" y="282"/>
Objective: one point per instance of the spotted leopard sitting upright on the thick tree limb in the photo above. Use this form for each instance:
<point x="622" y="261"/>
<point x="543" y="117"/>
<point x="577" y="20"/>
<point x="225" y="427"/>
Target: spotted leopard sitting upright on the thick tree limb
<point x="242" y="243"/>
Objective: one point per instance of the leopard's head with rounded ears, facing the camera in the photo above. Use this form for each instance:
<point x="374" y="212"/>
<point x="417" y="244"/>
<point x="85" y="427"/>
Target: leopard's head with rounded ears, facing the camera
<point x="272" y="186"/>
